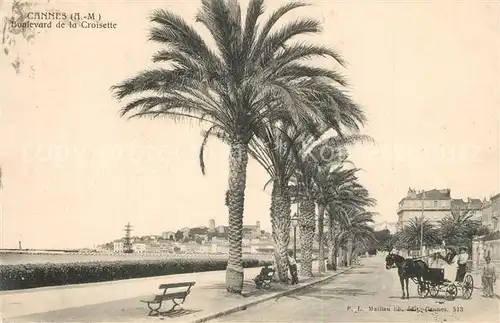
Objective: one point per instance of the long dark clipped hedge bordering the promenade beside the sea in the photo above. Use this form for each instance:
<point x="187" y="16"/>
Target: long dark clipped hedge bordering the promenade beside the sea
<point x="23" y="276"/>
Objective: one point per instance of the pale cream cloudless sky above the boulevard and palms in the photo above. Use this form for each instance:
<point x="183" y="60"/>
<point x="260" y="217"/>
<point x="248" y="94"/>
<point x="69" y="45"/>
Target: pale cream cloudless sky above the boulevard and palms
<point x="75" y="172"/>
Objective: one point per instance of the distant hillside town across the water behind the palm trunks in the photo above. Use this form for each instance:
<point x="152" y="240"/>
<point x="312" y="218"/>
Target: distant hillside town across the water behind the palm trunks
<point x="211" y="239"/>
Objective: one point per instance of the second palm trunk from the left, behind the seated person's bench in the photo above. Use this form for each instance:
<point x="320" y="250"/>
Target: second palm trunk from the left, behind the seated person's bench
<point x="280" y="220"/>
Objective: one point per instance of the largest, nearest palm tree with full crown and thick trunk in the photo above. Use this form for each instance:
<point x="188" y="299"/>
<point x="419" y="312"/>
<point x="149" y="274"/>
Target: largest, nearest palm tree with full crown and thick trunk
<point x="249" y="81"/>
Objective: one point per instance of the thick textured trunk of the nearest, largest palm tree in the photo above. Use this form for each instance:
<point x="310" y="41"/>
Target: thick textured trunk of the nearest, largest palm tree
<point x="235" y="200"/>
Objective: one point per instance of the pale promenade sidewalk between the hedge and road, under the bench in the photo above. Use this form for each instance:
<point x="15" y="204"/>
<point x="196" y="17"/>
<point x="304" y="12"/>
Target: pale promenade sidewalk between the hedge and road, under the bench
<point x="120" y="301"/>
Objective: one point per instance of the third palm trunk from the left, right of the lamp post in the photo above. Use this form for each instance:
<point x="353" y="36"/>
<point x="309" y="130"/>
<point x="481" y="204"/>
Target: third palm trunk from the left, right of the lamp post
<point x="307" y="227"/>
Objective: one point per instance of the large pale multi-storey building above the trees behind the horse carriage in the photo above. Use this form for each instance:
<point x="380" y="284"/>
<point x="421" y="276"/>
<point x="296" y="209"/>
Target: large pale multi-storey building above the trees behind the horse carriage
<point x="433" y="205"/>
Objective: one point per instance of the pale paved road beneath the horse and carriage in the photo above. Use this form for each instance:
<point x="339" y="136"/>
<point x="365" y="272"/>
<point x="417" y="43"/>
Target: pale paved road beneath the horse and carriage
<point x="361" y="296"/>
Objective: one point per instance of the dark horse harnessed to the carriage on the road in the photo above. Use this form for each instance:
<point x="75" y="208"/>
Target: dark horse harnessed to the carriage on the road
<point x="407" y="268"/>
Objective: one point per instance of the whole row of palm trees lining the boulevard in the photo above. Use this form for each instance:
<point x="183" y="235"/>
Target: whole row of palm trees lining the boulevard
<point x="256" y="93"/>
